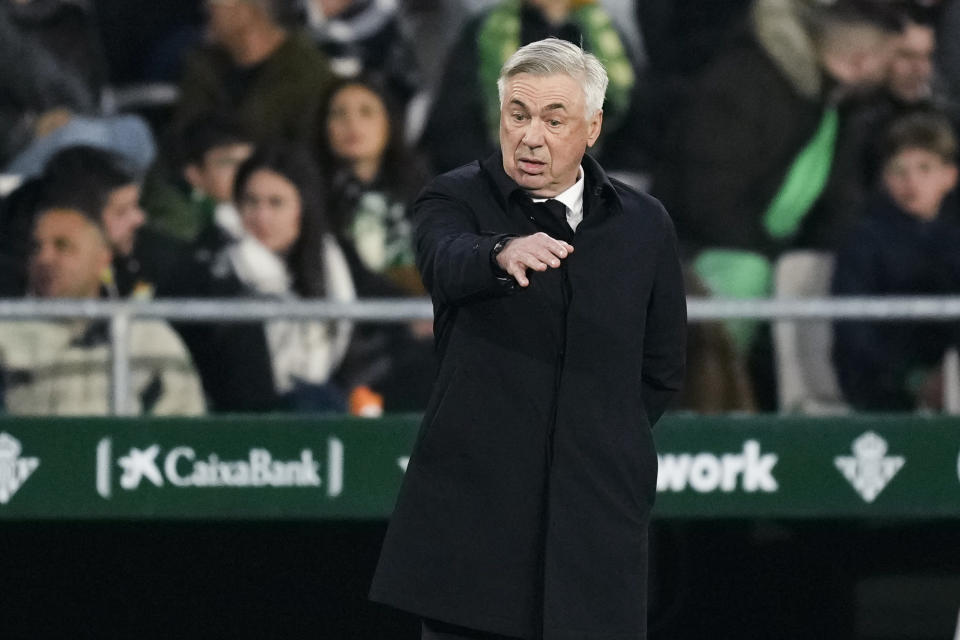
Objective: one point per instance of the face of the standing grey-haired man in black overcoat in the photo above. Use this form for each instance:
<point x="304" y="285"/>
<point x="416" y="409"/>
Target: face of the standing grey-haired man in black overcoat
<point x="544" y="132"/>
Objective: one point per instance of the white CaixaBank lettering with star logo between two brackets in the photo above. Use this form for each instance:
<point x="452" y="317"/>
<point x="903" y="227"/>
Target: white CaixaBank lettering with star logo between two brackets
<point x="184" y="467"/>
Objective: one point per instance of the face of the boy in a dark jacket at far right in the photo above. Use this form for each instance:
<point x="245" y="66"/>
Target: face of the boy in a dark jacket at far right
<point x="918" y="180"/>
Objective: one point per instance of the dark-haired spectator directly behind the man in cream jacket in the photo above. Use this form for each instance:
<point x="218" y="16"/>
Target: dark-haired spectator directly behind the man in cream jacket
<point x="91" y="179"/>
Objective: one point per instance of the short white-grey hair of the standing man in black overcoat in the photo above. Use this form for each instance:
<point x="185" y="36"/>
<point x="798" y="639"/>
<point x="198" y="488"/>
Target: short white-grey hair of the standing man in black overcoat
<point x="554" y="56"/>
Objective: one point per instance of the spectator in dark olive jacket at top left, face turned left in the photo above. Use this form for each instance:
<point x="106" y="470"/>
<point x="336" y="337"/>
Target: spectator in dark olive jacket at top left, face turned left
<point x="273" y="82"/>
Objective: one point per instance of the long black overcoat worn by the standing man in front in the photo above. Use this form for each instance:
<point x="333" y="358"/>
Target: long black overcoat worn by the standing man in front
<point x="525" y="504"/>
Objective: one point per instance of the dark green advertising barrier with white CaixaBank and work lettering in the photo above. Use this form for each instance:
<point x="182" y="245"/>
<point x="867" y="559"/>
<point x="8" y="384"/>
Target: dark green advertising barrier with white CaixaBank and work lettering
<point x="309" y="468"/>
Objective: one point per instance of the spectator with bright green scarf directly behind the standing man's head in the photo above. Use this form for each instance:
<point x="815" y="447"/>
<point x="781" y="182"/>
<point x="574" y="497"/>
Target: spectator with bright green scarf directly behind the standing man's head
<point x="465" y="116"/>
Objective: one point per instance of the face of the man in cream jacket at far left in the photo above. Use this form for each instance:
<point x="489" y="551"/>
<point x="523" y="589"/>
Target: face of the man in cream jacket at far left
<point x="69" y="255"/>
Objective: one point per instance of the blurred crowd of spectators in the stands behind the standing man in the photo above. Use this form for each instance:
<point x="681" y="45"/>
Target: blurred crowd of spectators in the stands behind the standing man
<point x="272" y="149"/>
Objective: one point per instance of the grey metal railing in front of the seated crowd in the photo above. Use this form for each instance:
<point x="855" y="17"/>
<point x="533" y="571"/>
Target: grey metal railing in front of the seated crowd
<point x="121" y="314"/>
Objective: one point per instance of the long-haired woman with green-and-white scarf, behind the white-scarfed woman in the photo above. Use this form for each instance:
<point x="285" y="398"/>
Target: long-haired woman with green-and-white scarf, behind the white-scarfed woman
<point x="374" y="178"/>
